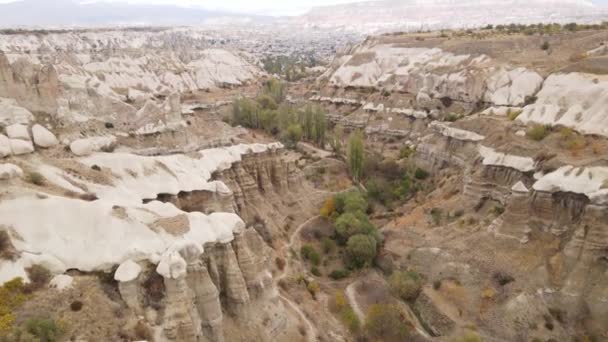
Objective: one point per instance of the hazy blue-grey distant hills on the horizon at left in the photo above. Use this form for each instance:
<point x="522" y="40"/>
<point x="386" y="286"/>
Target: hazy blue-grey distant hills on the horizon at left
<point x="62" y="13"/>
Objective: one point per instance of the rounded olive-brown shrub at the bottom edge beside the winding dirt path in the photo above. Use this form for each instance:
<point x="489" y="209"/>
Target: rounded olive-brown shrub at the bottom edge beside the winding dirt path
<point x="384" y="322"/>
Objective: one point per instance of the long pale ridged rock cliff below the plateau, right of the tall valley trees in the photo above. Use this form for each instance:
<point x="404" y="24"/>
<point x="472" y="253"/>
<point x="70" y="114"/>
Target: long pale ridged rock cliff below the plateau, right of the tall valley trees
<point x="423" y="71"/>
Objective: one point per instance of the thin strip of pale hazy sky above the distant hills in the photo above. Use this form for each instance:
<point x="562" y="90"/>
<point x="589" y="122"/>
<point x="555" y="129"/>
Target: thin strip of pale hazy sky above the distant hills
<point x="266" y="7"/>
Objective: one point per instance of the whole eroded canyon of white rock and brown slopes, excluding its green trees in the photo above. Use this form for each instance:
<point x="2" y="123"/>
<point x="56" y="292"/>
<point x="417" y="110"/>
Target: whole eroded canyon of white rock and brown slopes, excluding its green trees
<point x="158" y="218"/>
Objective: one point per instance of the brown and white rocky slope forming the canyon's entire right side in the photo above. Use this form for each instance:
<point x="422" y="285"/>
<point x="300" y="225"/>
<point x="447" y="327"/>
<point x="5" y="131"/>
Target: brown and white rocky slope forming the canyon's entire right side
<point x="469" y="117"/>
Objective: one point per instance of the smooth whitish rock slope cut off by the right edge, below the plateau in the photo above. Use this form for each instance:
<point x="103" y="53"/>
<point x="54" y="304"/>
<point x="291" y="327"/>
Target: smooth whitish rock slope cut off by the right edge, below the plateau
<point x="575" y="100"/>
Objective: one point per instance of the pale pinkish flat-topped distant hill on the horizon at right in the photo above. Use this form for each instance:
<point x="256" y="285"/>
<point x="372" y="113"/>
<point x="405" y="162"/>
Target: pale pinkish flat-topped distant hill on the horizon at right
<point x="436" y="14"/>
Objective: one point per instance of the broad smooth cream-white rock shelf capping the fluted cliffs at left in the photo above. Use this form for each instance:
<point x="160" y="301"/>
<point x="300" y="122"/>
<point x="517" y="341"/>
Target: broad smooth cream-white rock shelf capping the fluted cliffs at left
<point x="131" y="231"/>
